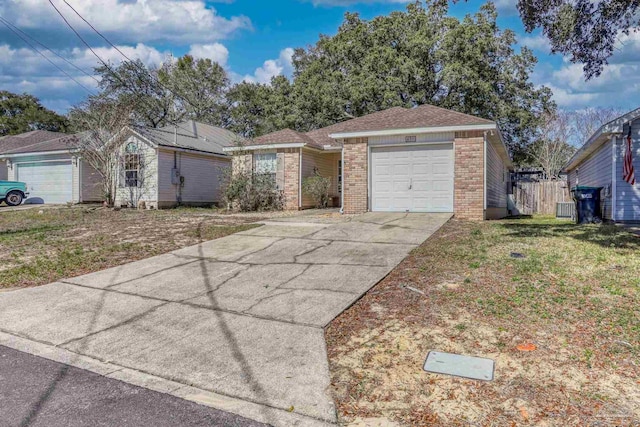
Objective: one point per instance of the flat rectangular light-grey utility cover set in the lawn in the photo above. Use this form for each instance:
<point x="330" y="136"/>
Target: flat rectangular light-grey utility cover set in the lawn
<point x="476" y="368"/>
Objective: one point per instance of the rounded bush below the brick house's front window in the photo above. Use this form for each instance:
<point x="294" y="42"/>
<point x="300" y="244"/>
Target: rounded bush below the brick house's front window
<point x="249" y="192"/>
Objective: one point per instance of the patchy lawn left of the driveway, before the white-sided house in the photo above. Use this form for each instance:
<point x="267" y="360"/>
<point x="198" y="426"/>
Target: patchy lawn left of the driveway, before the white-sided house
<point x="42" y="246"/>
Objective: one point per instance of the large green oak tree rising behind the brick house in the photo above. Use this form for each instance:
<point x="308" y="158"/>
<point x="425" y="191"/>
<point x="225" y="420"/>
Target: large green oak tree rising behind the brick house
<point x="406" y="59"/>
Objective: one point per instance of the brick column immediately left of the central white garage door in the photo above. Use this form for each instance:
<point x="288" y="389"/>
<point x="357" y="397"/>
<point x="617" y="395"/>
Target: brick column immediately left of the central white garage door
<point x="354" y="172"/>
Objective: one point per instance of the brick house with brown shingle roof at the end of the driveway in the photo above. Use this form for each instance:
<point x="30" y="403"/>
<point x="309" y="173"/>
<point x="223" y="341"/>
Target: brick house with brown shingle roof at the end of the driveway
<point x="423" y="159"/>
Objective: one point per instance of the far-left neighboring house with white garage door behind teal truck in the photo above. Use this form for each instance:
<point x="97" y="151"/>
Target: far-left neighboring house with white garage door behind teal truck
<point x="47" y="163"/>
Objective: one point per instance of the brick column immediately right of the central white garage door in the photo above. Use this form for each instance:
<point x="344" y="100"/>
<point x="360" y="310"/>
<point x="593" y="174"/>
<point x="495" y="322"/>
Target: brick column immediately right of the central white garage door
<point x="469" y="177"/>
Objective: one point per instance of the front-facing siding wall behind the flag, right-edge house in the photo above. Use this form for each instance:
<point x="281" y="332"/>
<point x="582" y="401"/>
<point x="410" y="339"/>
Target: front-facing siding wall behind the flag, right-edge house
<point x="628" y="197"/>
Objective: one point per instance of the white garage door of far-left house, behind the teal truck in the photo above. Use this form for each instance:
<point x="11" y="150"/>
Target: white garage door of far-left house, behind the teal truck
<point x="50" y="182"/>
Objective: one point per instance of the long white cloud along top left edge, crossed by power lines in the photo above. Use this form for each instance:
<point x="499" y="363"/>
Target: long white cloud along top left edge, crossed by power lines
<point x="177" y="21"/>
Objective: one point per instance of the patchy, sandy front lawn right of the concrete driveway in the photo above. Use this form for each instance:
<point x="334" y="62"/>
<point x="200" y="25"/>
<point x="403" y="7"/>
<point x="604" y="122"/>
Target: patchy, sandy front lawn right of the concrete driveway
<point x="575" y="294"/>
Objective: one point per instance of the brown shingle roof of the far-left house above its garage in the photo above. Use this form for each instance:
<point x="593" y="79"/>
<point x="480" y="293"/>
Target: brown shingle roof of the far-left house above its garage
<point x="37" y="141"/>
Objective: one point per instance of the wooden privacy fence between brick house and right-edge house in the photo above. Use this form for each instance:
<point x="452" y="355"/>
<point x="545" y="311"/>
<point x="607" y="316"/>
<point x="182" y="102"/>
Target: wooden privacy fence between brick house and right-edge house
<point x="539" y="197"/>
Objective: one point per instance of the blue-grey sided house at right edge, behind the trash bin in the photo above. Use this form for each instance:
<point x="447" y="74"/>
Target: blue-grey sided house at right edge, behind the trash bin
<point x="599" y="163"/>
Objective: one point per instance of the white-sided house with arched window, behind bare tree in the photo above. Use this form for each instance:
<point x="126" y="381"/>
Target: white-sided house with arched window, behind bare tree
<point x="174" y="165"/>
